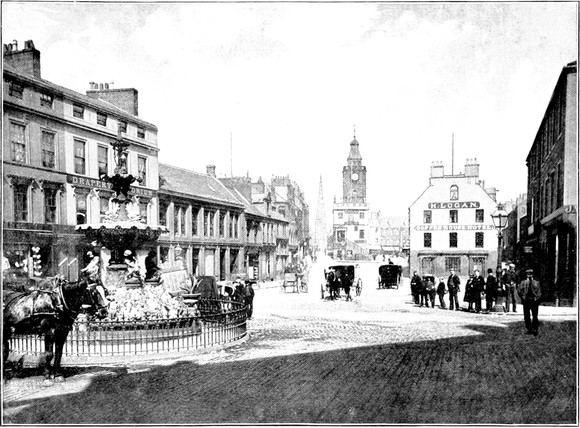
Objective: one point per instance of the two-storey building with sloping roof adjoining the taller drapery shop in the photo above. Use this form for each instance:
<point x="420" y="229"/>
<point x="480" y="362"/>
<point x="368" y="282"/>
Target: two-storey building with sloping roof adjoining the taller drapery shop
<point x="205" y="223"/>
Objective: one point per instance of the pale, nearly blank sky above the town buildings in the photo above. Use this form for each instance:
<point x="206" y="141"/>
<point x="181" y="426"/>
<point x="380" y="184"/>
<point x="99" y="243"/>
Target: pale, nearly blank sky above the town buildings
<point x="288" y="81"/>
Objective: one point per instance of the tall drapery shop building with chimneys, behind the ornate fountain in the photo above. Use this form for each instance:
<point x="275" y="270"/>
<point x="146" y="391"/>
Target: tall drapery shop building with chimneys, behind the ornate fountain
<point x="57" y="147"/>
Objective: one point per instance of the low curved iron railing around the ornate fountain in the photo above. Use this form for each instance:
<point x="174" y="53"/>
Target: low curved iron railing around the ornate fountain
<point x="219" y="322"/>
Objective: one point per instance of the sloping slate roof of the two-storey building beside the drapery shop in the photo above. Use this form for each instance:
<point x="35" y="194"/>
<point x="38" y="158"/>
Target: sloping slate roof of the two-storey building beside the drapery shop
<point x="194" y="184"/>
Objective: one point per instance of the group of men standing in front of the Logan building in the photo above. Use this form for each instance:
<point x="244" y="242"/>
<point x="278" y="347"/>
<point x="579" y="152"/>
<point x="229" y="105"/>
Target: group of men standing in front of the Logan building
<point x="495" y="291"/>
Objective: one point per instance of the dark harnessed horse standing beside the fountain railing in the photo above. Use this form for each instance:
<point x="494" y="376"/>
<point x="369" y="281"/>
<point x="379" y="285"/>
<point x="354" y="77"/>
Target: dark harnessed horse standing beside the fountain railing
<point x="50" y="312"/>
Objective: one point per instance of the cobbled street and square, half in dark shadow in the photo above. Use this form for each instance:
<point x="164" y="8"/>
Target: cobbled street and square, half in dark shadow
<point x="378" y="359"/>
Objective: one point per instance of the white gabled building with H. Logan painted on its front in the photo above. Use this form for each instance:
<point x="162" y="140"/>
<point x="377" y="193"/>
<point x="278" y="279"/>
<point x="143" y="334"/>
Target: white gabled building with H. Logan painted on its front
<point x="450" y="223"/>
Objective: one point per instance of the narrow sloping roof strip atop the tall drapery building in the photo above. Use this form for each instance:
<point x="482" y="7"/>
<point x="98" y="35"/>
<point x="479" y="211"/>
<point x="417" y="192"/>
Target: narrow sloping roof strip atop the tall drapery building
<point x="69" y="93"/>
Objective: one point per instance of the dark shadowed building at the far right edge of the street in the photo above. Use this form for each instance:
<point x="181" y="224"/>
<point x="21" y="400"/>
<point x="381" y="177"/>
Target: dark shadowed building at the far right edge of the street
<point x="553" y="192"/>
